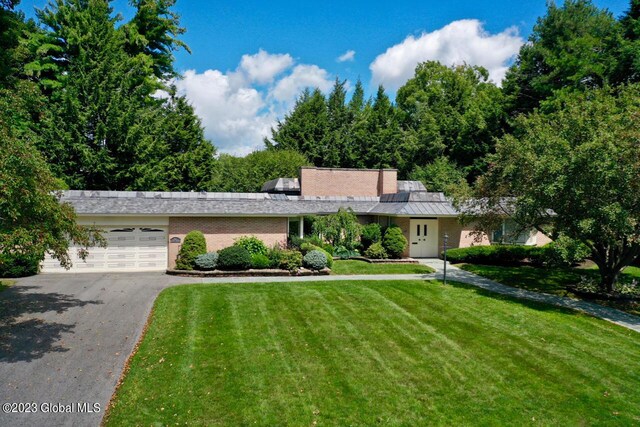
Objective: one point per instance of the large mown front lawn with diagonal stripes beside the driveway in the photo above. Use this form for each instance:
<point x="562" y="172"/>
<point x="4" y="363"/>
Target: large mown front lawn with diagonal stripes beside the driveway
<point x="403" y="352"/>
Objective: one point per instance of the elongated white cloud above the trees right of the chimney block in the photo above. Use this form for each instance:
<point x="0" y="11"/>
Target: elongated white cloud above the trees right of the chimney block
<point x="463" y="41"/>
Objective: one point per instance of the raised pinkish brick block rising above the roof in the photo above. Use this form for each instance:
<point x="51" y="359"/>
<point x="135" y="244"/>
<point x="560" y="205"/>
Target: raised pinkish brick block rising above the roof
<point x="347" y="182"/>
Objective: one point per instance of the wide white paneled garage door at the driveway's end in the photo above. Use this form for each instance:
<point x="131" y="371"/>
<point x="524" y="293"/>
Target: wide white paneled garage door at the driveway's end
<point x="130" y="248"/>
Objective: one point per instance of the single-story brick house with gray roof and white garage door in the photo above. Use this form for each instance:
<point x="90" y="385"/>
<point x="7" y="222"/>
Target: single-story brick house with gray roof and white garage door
<point x="144" y="230"/>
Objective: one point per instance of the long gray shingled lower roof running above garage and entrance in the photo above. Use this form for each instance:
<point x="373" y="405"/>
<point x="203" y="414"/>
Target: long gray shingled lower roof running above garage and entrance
<point x="250" y="204"/>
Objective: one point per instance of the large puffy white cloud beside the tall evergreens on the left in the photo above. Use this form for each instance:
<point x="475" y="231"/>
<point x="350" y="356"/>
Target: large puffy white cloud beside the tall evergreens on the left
<point x="237" y="109"/>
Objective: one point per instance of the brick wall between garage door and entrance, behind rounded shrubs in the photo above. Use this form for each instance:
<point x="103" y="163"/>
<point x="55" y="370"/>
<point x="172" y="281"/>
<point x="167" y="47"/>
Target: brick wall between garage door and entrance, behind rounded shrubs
<point x="221" y="232"/>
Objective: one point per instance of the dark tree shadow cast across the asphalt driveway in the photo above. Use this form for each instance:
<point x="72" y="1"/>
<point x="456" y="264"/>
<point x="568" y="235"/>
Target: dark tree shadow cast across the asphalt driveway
<point x="23" y="337"/>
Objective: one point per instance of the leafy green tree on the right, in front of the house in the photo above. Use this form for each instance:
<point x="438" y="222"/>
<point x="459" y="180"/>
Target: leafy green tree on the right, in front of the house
<point x="582" y="163"/>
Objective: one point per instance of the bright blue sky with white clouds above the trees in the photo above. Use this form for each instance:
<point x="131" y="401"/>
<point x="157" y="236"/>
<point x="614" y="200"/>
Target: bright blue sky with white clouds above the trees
<point x="251" y="58"/>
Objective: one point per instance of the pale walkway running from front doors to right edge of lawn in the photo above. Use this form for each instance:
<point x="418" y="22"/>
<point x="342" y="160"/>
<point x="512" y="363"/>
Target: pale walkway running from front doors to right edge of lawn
<point x="611" y="314"/>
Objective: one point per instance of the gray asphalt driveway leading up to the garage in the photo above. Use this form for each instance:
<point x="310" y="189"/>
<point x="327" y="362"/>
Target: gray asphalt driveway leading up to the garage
<point x="64" y="339"/>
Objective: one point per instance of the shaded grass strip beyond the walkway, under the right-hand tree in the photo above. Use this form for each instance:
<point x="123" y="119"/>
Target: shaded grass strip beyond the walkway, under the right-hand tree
<point x="551" y="280"/>
